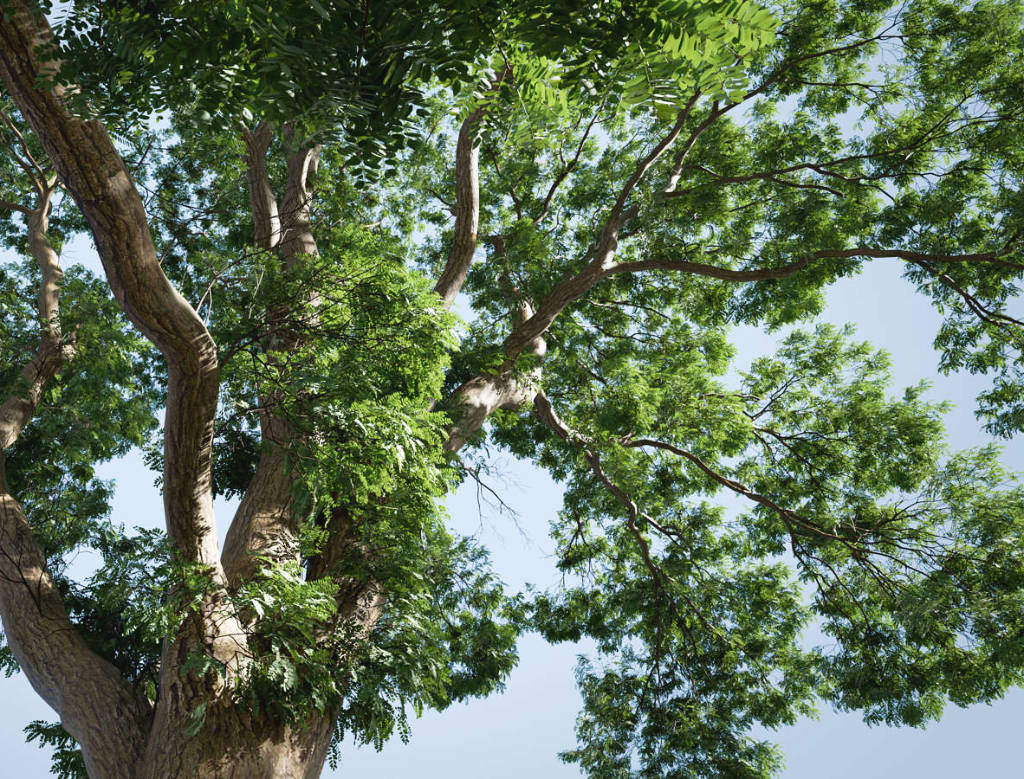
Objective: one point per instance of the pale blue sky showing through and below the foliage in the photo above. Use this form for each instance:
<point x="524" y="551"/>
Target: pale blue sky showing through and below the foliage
<point x="521" y="732"/>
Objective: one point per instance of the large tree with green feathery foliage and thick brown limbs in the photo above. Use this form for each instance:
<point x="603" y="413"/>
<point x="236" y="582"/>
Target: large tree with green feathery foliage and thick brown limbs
<point x="608" y="188"/>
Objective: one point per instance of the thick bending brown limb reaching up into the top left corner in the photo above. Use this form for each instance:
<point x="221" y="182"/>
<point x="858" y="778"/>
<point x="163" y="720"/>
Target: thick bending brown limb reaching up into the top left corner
<point x="97" y="178"/>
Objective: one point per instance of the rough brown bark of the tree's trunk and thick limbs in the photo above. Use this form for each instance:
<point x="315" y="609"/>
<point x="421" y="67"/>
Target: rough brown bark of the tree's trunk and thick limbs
<point x="122" y="734"/>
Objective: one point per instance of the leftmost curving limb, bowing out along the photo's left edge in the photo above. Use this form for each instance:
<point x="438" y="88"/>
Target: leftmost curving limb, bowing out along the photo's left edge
<point x="97" y="706"/>
